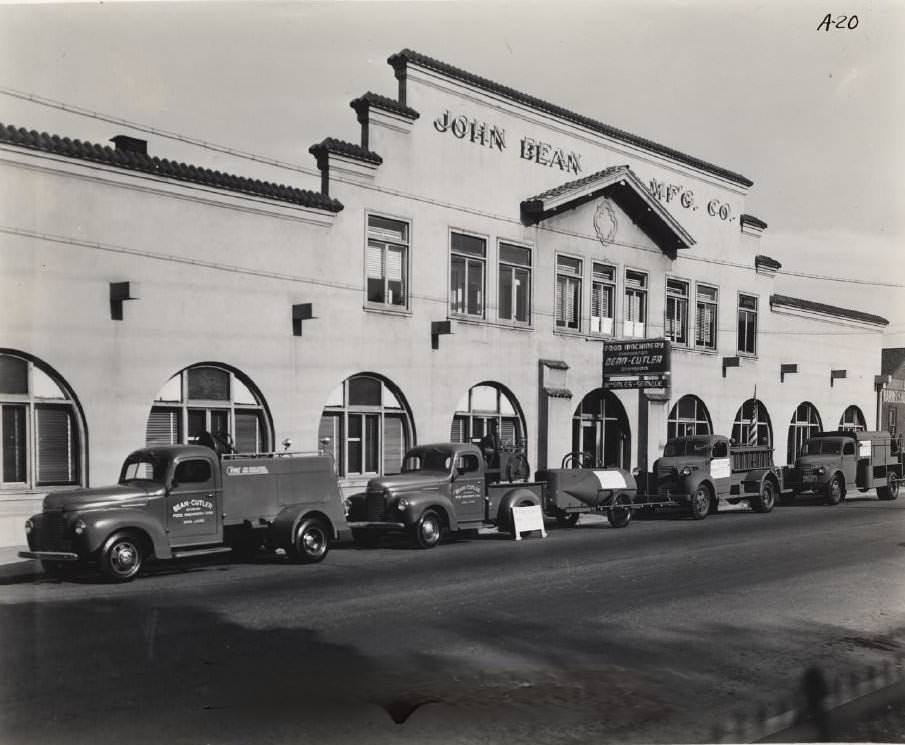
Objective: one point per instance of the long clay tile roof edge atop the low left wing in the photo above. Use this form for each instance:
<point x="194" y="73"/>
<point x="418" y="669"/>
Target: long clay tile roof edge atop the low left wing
<point x="162" y="167"/>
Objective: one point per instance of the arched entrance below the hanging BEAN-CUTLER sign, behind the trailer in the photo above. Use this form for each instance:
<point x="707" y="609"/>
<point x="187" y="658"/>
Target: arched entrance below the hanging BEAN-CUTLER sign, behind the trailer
<point x="600" y="429"/>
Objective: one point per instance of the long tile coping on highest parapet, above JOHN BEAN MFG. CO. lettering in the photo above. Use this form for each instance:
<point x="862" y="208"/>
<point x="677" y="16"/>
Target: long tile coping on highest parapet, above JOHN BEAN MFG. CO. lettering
<point x="400" y="59"/>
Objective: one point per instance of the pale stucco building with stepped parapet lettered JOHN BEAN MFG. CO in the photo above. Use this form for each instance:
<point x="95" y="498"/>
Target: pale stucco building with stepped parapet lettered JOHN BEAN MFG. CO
<point x="452" y="275"/>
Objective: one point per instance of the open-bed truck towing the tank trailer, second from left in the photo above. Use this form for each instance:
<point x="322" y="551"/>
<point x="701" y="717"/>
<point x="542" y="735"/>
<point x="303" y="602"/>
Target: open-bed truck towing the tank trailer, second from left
<point x="442" y="487"/>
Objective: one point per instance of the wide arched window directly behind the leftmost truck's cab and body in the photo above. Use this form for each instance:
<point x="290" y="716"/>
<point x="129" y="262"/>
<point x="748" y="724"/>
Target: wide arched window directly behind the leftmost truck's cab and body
<point x="212" y="398"/>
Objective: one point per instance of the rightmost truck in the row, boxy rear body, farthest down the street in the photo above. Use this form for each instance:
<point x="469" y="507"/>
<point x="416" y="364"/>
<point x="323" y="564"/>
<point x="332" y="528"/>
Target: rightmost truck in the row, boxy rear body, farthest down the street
<point x="831" y="462"/>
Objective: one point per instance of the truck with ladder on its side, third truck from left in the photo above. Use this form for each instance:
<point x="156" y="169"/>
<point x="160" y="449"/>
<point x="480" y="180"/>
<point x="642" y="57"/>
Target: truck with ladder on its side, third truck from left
<point x="696" y="472"/>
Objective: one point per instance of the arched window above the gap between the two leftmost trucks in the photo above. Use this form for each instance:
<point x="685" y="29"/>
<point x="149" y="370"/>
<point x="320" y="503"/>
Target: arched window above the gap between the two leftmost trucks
<point x="368" y="425"/>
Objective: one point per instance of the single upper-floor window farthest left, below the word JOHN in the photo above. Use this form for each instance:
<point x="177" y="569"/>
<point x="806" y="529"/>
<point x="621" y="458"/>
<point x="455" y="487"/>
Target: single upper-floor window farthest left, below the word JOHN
<point x="387" y="250"/>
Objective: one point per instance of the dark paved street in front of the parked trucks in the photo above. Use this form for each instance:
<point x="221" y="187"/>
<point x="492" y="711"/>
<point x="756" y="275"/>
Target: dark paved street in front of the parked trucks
<point x="652" y="633"/>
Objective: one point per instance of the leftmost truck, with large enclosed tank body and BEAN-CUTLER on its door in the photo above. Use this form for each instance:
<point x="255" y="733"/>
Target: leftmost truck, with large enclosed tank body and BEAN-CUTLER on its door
<point x="187" y="500"/>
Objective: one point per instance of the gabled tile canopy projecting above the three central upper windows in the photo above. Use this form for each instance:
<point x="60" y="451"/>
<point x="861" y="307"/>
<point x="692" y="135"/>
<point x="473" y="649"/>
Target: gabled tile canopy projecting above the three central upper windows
<point x="623" y="186"/>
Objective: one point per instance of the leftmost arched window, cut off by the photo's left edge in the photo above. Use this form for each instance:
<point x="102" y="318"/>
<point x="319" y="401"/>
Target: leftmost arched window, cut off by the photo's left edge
<point x="41" y="429"/>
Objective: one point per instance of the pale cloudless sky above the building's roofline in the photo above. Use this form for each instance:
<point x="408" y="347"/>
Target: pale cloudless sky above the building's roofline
<point x="814" y="118"/>
